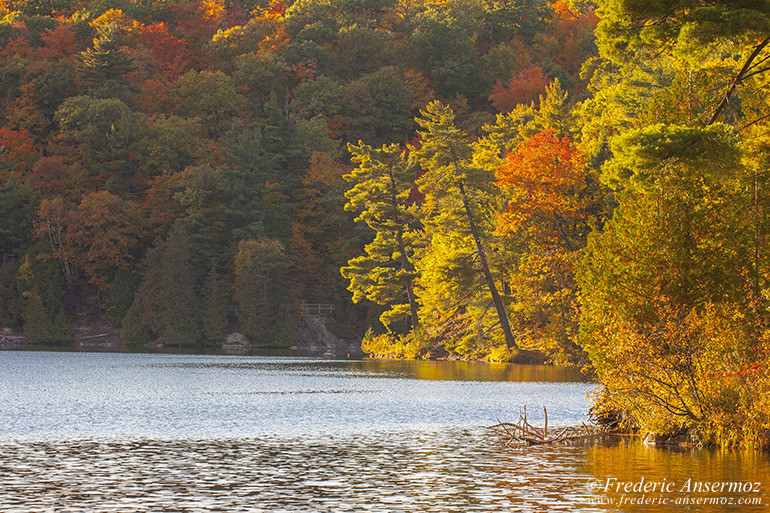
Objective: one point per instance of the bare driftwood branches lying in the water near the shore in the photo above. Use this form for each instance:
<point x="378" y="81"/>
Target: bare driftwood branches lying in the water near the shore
<point x="524" y="433"/>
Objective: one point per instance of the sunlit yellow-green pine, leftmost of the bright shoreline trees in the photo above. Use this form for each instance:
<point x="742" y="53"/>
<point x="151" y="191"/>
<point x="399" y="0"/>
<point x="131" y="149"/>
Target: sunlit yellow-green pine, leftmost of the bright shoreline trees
<point x="382" y="184"/>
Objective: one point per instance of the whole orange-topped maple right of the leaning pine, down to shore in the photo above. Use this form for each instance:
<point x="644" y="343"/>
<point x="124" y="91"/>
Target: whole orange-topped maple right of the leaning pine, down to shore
<point x="553" y="203"/>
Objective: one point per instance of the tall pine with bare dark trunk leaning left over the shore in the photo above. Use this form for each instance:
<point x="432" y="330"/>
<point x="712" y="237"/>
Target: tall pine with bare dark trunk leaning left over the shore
<point x="456" y="192"/>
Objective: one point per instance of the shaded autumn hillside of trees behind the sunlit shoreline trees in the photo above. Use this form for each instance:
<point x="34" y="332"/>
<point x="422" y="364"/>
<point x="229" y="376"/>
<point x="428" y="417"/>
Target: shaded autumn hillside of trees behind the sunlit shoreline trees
<point x="174" y="167"/>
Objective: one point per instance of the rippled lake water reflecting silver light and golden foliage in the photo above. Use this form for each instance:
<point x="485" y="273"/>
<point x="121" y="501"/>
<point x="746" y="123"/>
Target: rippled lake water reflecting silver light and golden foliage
<point x="139" y="432"/>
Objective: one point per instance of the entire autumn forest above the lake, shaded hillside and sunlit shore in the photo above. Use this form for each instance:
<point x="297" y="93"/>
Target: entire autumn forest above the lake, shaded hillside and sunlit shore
<point x="459" y="178"/>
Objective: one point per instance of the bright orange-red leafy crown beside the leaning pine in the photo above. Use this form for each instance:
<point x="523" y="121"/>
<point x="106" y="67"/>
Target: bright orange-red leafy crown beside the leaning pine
<point x="546" y="180"/>
